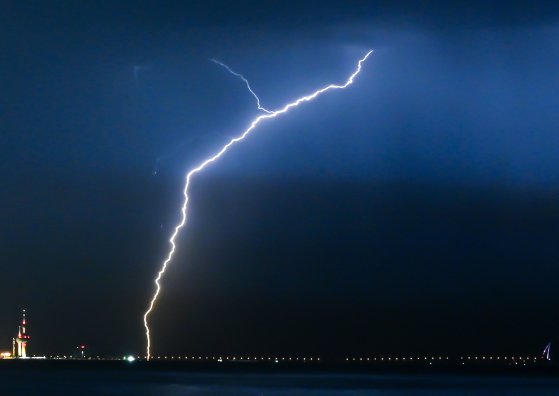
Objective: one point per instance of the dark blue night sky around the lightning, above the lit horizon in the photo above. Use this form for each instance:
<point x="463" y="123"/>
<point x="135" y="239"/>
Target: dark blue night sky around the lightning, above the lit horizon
<point x="417" y="211"/>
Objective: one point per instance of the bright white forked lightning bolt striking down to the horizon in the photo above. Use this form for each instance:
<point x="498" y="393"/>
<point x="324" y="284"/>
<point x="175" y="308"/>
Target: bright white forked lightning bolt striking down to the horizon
<point x="215" y="157"/>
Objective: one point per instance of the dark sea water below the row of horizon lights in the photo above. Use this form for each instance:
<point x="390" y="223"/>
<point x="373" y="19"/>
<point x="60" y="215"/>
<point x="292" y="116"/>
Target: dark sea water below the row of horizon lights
<point x="141" y="378"/>
